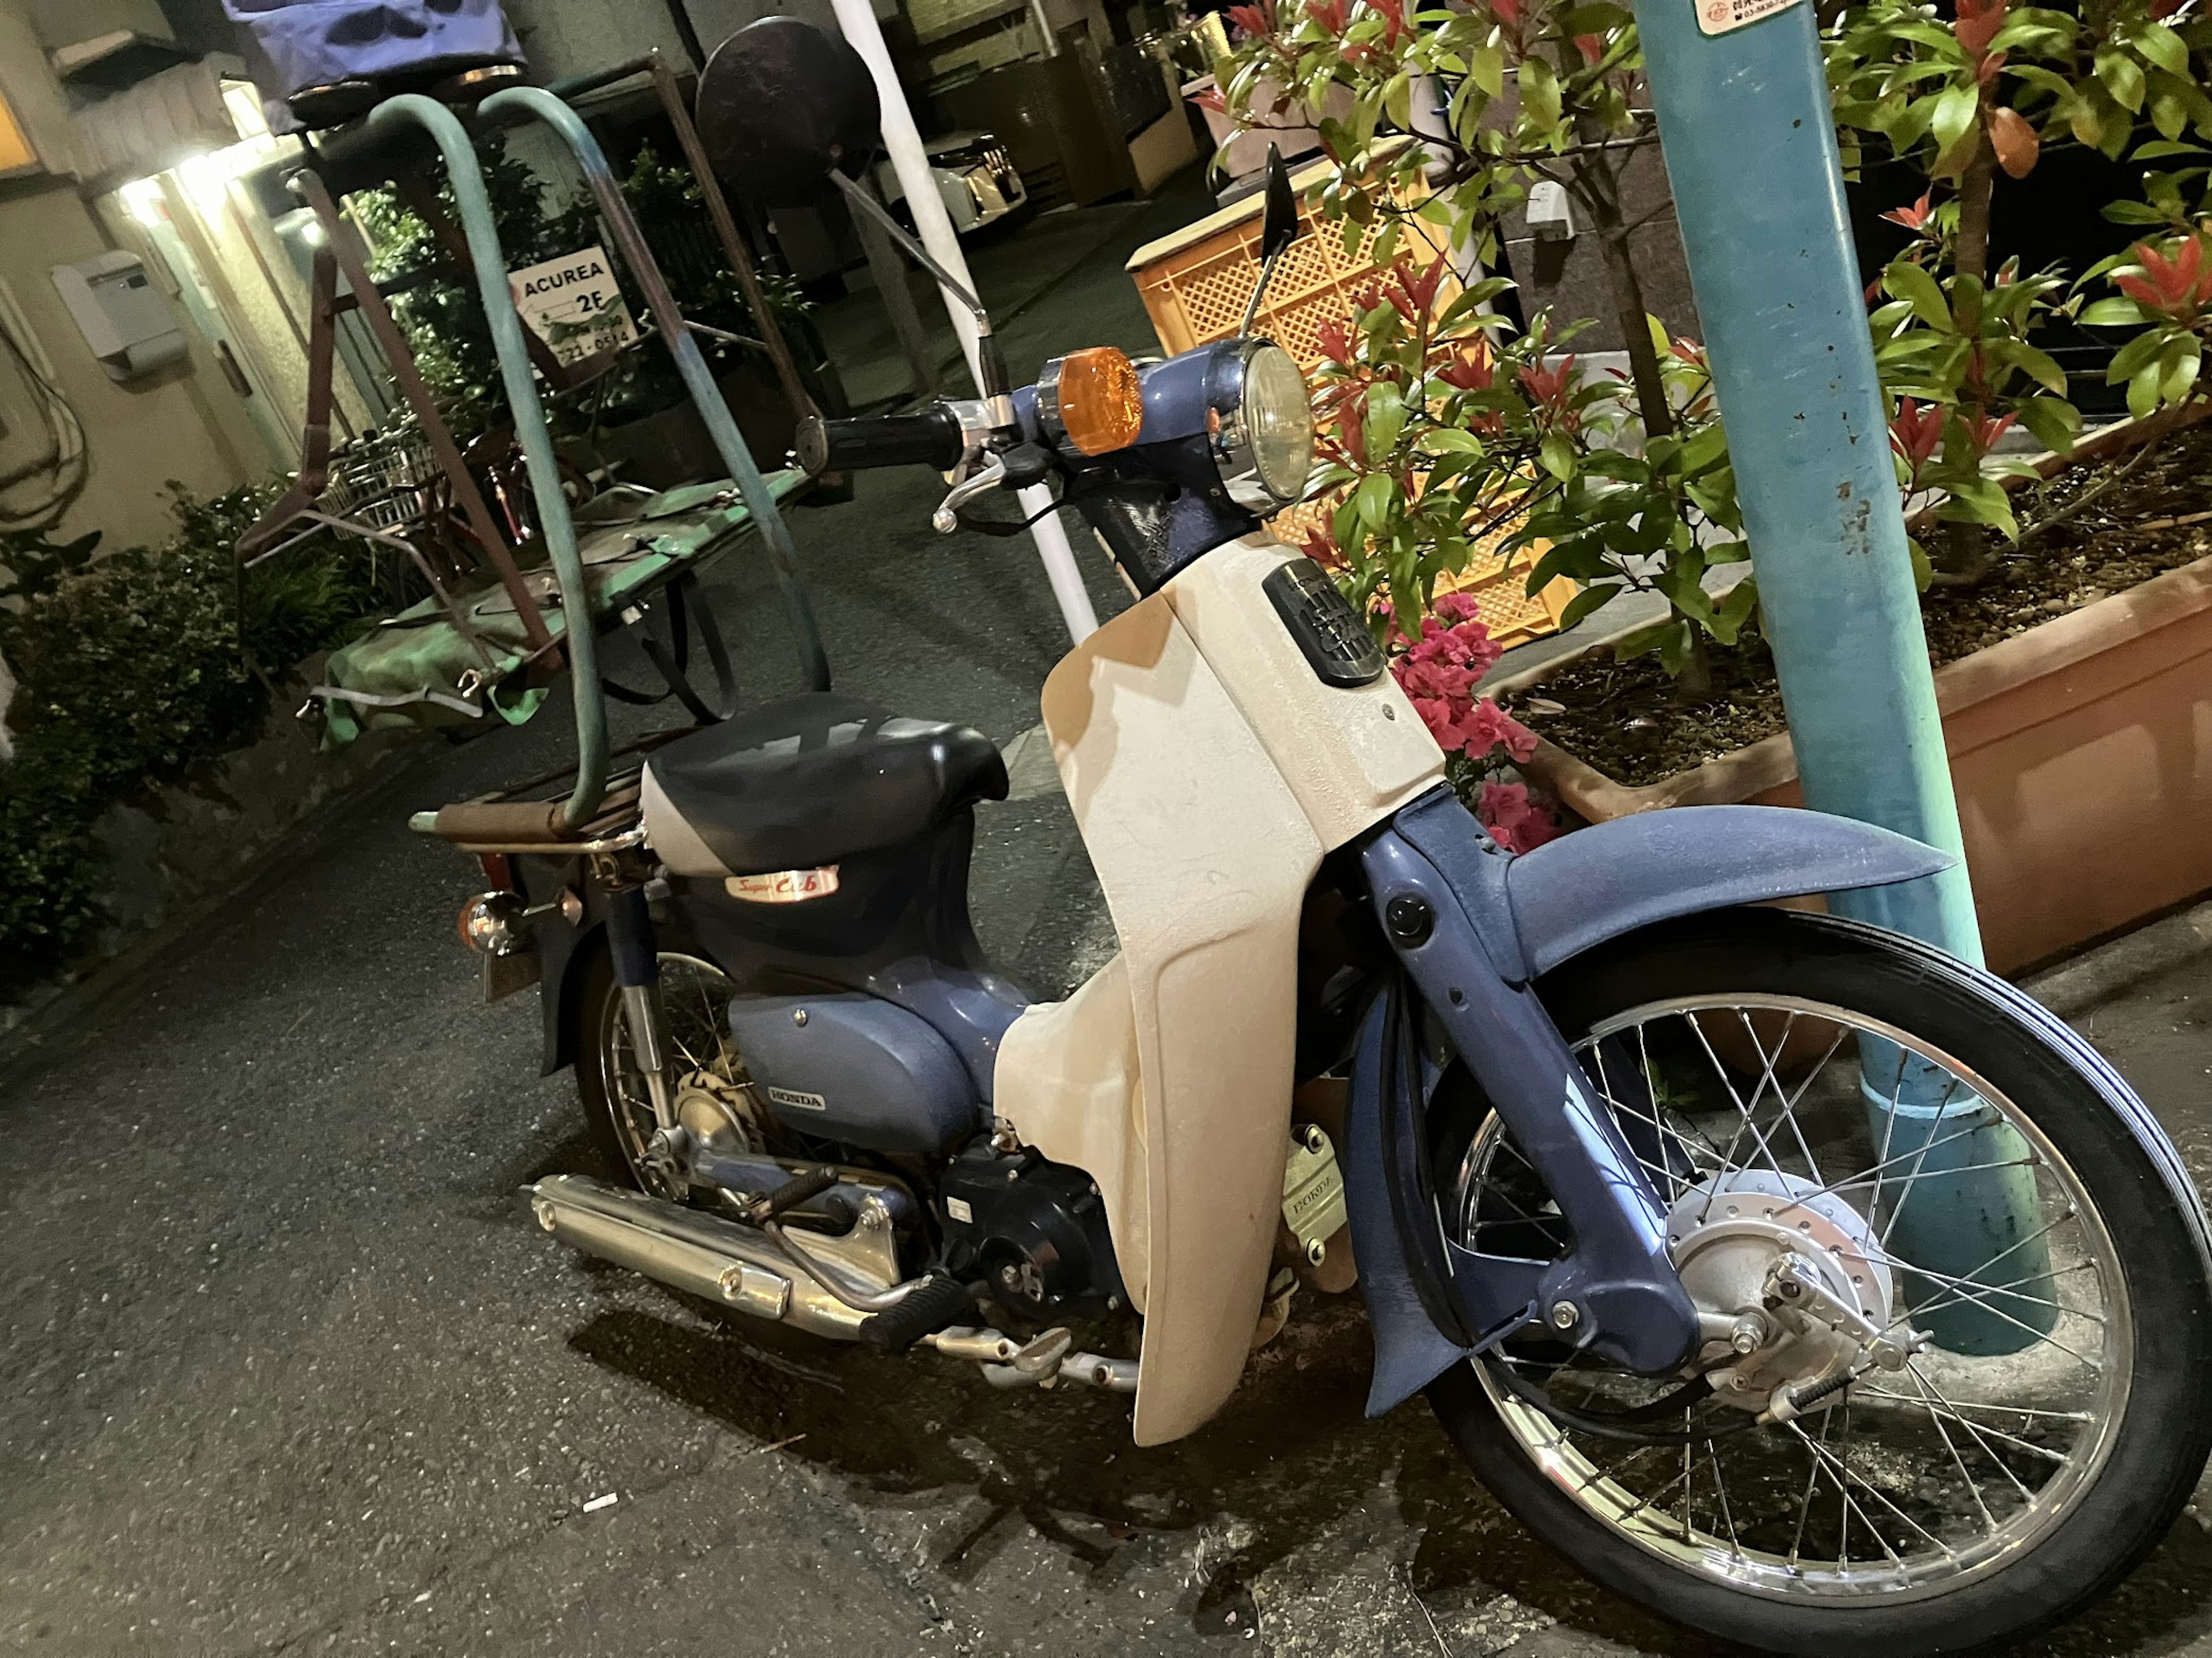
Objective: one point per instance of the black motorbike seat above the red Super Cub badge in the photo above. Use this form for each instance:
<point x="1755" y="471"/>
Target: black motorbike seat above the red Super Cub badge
<point x="815" y="779"/>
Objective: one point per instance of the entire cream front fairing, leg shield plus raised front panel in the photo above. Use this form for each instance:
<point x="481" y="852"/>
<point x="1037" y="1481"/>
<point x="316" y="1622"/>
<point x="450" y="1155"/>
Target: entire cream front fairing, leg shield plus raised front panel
<point x="1209" y="770"/>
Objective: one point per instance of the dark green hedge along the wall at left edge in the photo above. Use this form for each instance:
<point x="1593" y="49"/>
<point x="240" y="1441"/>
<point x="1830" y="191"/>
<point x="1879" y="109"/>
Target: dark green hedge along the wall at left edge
<point x="134" y="669"/>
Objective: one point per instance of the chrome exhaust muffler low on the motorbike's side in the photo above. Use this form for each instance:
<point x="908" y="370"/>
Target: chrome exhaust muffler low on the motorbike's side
<point x="716" y="1259"/>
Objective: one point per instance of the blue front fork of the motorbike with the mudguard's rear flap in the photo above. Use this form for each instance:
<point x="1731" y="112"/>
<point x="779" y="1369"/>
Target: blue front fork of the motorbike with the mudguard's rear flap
<point x="1432" y="1299"/>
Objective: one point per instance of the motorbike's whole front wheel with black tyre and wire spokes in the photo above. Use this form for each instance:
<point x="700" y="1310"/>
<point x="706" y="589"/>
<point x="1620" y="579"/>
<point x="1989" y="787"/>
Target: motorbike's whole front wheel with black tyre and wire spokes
<point x="1957" y="1171"/>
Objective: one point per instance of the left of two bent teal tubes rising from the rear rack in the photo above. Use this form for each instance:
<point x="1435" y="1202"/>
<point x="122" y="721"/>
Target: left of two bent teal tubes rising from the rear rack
<point x="581" y="642"/>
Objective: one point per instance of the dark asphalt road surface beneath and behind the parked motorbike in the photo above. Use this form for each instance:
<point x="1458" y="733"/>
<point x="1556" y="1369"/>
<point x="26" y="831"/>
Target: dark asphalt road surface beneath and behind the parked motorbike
<point x="284" y="1367"/>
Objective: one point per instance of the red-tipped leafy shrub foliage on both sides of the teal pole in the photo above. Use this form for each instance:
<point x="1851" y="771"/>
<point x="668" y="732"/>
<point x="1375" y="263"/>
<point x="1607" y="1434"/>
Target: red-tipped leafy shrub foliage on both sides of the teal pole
<point x="1468" y="421"/>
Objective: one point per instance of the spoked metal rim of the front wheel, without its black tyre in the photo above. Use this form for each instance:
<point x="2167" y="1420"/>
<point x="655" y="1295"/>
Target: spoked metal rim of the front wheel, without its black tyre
<point x="1786" y="1109"/>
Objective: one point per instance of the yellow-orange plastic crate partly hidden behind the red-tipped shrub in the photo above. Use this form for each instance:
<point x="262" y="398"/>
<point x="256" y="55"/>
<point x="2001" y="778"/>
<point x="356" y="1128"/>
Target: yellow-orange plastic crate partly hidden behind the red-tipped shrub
<point x="1196" y="286"/>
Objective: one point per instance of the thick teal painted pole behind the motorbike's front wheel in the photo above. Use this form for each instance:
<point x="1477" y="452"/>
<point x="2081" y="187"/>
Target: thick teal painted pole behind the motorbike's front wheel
<point x="1751" y="154"/>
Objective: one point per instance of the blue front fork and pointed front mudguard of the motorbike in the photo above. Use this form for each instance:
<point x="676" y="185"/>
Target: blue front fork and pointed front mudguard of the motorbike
<point x="1501" y="923"/>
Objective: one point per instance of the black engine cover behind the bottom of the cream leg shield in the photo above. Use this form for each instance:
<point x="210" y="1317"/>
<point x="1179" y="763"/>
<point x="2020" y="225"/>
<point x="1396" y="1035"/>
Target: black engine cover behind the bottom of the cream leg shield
<point x="1034" y="1232"/>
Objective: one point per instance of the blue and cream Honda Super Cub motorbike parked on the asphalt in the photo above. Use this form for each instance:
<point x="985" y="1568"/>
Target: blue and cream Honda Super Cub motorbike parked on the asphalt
<point x="1786" y="1274"/>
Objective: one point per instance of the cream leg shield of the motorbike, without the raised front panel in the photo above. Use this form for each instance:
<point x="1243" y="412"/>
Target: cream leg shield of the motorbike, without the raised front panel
<point x="1204" y="857"/>
